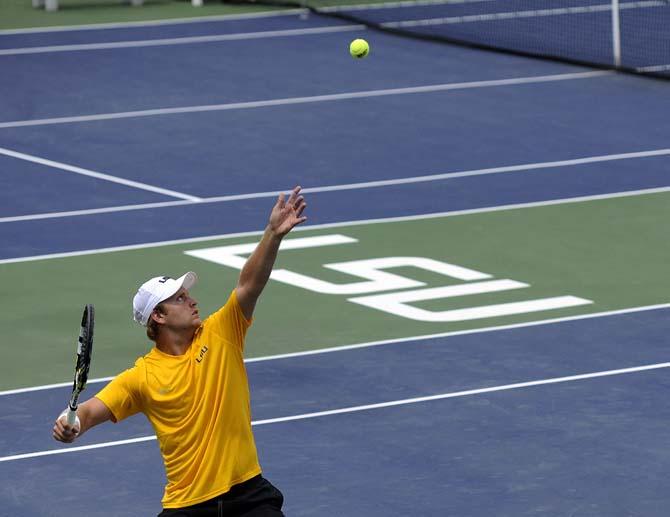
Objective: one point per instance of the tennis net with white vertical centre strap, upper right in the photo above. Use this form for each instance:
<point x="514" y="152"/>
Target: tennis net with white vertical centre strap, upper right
<point x="631" y="36"/>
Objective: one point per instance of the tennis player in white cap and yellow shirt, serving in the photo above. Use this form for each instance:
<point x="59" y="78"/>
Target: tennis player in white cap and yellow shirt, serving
<point x="193" y="388"/>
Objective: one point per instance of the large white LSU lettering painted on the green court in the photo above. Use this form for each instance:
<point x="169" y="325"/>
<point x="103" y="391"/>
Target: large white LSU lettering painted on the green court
<point x="379" y="289"/>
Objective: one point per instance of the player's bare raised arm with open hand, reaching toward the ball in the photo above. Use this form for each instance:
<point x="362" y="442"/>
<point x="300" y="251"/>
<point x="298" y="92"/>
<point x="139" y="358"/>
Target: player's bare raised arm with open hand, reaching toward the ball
<point x="286" y="214"/>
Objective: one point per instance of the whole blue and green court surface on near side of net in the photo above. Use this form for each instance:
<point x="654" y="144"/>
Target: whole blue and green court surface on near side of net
<point x="124" y="149"/>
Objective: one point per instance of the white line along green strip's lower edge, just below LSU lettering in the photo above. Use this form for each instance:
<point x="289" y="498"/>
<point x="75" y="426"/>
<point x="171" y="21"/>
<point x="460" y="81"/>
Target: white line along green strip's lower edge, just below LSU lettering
<point x="383" y="342"/>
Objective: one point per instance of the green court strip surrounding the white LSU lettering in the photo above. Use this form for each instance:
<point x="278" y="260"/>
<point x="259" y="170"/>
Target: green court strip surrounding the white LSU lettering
<point x="610" y="252"/>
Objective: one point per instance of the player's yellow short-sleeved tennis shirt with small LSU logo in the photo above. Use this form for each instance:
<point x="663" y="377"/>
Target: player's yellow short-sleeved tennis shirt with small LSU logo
<point x="198" y="404"/>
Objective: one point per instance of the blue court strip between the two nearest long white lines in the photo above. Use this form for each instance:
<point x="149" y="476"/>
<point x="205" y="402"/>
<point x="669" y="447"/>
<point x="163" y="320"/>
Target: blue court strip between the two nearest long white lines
<point x="397" y="374"/>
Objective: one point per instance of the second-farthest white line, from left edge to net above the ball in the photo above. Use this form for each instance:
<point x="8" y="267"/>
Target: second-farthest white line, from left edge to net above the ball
<point x="180" y="41"/>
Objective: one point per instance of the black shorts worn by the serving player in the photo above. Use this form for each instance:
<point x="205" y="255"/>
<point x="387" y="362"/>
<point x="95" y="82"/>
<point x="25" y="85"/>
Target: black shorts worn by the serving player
<point x="256" y="497"/>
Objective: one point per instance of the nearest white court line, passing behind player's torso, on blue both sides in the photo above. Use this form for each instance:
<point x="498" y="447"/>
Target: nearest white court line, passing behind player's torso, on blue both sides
<point x="367" y="407"/>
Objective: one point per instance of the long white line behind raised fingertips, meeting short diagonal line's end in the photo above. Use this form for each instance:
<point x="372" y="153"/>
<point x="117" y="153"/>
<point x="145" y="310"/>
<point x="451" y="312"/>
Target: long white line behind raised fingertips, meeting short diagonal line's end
<point x="346" y="186"/>
